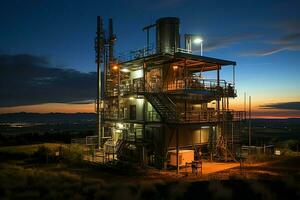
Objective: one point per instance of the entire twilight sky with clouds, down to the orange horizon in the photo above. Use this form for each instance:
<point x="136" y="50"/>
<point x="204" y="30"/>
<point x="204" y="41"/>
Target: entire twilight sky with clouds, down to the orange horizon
<point x="47" y="55"/>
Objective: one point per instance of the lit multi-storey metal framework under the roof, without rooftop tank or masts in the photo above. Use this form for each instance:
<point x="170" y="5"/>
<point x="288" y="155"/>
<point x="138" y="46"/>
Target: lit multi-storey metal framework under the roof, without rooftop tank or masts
<point x="167" y="94"/>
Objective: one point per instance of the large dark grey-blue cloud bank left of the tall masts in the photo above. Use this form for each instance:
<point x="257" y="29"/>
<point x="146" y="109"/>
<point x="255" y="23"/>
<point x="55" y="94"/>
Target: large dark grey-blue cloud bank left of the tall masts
<point x="28" y="79"/>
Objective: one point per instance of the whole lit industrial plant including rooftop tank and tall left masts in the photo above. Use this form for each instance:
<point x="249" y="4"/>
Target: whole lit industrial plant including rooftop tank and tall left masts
<point x="163" y="105"/>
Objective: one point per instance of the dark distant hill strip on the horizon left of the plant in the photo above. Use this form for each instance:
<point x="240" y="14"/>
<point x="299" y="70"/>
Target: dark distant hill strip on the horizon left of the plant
<point x="24" y="117"/>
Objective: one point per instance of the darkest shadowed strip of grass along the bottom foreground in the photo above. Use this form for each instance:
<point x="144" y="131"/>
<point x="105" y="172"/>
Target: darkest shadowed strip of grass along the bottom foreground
<point x="19" y="183"/>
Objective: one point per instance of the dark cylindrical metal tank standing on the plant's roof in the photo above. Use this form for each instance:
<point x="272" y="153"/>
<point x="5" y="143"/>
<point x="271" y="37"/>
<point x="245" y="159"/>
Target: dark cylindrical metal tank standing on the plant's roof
<point x="167" y="35"/>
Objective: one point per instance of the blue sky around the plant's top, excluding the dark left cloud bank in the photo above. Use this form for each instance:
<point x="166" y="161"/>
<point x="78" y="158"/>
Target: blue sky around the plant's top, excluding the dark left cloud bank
<point x="263" y="37"/>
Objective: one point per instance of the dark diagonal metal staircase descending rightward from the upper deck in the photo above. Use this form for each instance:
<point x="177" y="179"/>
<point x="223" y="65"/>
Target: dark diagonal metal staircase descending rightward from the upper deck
<point x="163" y="106"/>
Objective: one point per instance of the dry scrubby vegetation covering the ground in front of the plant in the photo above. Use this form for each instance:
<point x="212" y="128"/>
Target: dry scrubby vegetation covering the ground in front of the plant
<point x="31" y="178"/>
